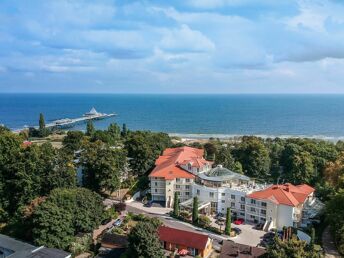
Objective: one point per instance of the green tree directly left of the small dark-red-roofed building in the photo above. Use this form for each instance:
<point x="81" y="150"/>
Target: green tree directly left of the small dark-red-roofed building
<point x="144" y="241"/>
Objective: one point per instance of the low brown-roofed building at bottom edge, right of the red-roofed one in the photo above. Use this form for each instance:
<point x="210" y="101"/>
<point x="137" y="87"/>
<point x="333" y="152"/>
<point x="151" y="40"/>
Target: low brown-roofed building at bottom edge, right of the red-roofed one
<point x="231" y="249"/>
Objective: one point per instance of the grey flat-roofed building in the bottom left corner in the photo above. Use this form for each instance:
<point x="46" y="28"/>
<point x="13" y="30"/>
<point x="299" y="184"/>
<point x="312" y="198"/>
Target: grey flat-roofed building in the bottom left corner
<point x="12" y="248"/>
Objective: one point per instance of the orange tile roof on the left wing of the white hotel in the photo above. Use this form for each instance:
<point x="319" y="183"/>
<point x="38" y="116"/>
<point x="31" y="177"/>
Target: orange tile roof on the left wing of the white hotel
<point x="167" y="165"/>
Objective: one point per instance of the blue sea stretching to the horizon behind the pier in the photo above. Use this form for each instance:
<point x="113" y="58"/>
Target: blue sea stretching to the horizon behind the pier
<point x="319" y="116"/>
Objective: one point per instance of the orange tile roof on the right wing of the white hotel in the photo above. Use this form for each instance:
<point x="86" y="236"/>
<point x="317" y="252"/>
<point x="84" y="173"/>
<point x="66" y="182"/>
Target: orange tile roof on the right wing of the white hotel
<point x="286" y="194"/>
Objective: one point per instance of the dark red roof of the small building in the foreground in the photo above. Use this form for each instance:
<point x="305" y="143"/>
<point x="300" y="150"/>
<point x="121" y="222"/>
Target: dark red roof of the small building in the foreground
<point x="182" y="237"/>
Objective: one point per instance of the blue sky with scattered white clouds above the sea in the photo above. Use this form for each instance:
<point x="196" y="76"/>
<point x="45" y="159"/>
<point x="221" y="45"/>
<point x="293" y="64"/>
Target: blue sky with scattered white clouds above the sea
<point x="185" y="46"/>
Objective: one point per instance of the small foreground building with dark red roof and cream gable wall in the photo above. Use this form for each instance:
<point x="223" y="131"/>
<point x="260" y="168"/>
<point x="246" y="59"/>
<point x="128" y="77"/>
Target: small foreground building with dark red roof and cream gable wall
<point x="176" y="239"/>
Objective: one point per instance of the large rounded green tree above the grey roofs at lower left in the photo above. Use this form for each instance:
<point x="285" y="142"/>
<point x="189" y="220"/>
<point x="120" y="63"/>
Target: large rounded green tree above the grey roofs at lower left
<point x="65" y="213"/>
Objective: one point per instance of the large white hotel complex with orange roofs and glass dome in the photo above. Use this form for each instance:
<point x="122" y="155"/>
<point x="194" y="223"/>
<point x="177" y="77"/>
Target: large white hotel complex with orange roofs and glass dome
<point x="185" y="171"/>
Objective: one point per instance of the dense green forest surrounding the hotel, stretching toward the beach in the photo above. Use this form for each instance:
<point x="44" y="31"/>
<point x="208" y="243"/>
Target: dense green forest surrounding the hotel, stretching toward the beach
<point x="39" y="193"/>
